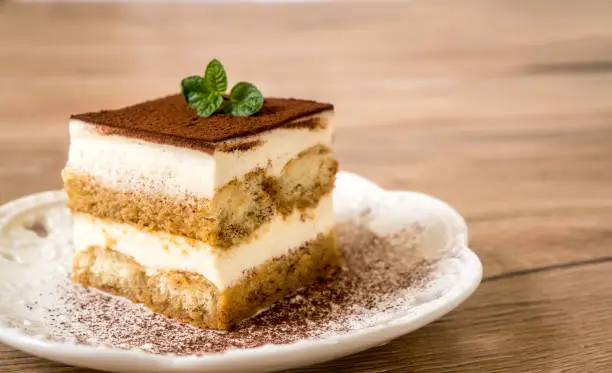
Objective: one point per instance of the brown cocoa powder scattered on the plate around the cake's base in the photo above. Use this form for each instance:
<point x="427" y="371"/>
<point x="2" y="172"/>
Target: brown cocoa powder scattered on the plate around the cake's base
<point x="378" y="282"/>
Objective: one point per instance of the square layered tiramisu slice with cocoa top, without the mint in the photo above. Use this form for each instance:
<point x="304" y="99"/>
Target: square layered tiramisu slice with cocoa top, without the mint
<point x="206" y="220"/>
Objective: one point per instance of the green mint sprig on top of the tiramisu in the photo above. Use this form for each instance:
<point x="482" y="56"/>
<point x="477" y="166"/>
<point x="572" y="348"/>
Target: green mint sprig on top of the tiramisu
<point x="206" y="94"/>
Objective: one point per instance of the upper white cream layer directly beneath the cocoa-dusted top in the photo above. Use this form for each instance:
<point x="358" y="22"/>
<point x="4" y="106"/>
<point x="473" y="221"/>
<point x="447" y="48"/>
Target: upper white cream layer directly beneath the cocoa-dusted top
<point x="128" y="164"/>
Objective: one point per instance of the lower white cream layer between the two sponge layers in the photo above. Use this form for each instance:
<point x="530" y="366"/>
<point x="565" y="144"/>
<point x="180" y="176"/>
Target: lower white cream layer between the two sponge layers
<point x="162" y="251"/>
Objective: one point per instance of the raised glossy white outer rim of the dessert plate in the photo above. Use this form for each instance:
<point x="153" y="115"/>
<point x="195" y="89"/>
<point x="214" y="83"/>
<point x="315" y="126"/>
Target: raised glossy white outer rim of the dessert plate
<point x="267" y="357"/>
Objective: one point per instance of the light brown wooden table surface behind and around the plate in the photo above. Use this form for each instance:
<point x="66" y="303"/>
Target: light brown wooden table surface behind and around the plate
<point x="502" y="108"/>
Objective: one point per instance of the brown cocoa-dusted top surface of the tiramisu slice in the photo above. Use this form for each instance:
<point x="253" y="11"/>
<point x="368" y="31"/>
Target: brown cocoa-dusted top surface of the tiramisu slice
<point x="171" y="117"/>
